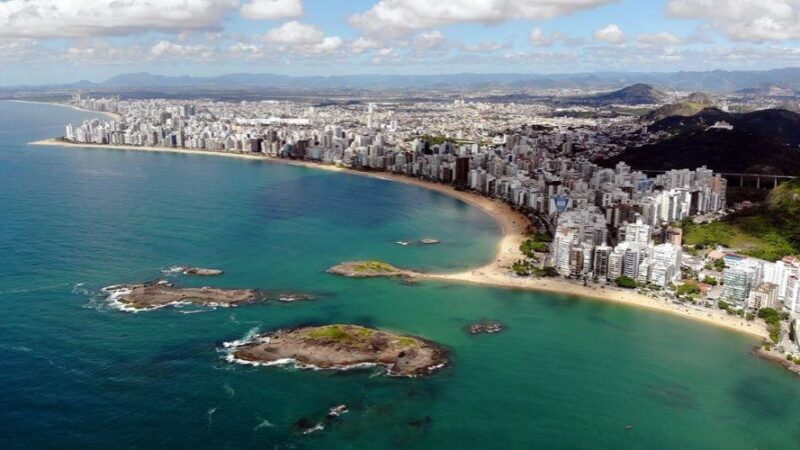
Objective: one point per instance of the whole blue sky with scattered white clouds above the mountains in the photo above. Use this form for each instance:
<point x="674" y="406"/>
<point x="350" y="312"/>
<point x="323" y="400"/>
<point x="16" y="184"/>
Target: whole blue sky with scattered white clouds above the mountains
<point x="58" y="41"/>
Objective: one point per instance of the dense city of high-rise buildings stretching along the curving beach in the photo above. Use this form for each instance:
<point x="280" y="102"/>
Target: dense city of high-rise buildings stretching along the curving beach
<point x="607" y="222"/>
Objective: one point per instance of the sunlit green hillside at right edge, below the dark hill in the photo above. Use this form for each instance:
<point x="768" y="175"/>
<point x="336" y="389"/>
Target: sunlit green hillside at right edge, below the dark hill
<point x="770" y="232"/>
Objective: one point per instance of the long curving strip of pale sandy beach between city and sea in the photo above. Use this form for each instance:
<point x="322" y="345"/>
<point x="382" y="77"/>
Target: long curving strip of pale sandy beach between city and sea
<point x="497" y="273"/>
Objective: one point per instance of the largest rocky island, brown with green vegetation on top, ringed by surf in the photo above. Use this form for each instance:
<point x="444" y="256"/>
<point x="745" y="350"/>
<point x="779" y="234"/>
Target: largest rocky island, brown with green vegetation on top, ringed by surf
<point x="342" y="347"/>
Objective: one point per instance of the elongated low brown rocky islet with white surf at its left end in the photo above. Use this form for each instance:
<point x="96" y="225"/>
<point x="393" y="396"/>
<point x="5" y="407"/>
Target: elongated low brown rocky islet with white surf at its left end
<point x="162" y="293"/>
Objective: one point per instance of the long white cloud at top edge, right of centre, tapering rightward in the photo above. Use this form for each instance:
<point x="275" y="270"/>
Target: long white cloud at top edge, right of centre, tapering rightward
<point x="397" y="17"/>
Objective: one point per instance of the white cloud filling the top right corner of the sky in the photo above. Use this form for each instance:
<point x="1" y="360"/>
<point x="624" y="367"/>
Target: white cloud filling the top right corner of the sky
<point x="744" y="20"/>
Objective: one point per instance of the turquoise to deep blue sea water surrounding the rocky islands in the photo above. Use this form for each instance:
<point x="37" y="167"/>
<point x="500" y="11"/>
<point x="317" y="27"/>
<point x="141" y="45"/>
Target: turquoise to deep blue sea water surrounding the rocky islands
<point x="568" y="373"/>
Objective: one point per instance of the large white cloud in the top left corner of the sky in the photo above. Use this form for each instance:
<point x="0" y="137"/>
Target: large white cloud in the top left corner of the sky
<point x="83" y="18"/>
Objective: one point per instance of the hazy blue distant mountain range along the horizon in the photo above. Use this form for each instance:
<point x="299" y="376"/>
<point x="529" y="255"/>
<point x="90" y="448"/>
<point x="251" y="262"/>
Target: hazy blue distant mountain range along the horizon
<point x="778" y="81"/>
